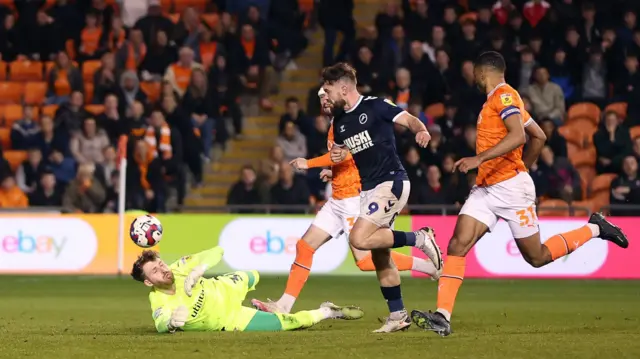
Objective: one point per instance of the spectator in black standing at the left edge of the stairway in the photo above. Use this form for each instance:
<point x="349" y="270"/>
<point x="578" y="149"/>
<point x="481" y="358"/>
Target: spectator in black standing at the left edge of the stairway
<point x="226" y="89"/>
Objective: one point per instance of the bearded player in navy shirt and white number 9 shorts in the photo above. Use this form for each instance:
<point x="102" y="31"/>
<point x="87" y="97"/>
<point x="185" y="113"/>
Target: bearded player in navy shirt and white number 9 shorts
<point x="363" y="126"/>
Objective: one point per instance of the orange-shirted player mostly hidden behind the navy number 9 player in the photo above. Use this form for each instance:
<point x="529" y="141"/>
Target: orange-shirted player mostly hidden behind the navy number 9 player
<point x="337" y="216"/>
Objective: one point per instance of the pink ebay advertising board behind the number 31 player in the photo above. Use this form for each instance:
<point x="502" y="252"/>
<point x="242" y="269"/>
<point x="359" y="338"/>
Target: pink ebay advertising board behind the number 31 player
<point x="496" y="254"/>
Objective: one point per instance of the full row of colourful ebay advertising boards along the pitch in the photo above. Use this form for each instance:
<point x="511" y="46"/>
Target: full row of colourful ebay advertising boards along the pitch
<point x="89" y="244"/>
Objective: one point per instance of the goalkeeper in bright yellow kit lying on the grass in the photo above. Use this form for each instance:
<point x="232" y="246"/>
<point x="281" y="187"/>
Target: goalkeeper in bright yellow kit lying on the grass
<point x="182" y="299"/>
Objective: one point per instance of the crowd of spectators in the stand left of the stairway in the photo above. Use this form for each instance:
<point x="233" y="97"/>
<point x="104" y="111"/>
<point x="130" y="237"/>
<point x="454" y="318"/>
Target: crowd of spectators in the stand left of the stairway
<point x="77" y="76"/>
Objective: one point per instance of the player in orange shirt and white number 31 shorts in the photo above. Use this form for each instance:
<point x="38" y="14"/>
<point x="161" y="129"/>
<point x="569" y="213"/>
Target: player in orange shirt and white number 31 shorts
<point x="504" y="190"/>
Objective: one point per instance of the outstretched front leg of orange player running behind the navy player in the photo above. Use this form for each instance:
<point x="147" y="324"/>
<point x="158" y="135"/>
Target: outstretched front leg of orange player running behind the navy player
<point x="325" y="225"/>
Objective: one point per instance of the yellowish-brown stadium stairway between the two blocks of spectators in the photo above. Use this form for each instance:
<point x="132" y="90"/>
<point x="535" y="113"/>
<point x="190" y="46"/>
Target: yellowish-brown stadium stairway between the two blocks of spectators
<point x="260" y="127"/>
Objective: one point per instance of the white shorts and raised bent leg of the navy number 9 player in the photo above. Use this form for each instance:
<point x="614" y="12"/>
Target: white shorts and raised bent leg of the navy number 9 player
<point x="378" y="210"/>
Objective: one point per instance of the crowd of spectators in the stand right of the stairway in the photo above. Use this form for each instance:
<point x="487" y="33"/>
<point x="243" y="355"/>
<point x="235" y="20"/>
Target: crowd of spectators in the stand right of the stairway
<point x="575" y="64"/>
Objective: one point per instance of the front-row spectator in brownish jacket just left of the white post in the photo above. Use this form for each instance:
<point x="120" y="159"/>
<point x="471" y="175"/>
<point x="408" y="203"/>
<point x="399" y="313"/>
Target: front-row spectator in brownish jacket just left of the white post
<point x="84" y="194"/>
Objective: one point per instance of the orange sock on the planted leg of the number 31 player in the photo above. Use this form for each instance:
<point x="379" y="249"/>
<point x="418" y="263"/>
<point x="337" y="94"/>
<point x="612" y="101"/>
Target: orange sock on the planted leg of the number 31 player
<point x="449" y="283"/>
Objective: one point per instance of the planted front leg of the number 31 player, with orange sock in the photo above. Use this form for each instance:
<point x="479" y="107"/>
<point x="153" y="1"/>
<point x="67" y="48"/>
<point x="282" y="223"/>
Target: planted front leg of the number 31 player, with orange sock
<point x="474" y="221"/>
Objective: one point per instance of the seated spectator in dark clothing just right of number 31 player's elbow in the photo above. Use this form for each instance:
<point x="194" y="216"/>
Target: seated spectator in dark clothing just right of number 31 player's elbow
<point x="562" y="178"/>
